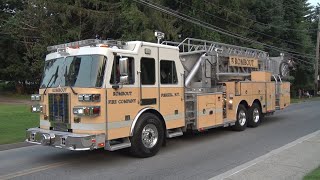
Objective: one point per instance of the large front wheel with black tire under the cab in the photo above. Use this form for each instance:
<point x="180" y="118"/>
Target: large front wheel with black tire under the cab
<point x="148" y="136"/>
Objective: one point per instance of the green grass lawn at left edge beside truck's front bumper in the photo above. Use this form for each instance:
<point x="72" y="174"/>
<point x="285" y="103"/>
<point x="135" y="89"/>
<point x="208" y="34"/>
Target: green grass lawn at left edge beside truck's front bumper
<point x="14" y="120"/>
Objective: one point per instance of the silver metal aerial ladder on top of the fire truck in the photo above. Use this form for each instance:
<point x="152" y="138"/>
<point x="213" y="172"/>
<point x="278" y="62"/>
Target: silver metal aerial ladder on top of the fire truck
<point x="222" y="52"/>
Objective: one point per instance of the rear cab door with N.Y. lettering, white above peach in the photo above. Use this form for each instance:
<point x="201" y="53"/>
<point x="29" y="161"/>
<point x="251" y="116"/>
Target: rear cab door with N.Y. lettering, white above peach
<point x="171" y="88"/>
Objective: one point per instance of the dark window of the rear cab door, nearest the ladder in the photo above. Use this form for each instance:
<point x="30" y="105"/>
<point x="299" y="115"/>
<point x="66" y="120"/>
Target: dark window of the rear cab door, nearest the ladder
<point x="168" y="72"/>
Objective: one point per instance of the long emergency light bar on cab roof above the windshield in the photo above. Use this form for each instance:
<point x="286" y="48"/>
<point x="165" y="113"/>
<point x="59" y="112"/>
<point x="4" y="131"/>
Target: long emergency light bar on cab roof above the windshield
<point x="87" y="42"/>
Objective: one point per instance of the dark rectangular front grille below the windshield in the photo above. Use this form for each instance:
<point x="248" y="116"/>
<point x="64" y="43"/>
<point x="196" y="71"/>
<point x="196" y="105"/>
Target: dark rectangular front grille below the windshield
<point x="59" y="109"/>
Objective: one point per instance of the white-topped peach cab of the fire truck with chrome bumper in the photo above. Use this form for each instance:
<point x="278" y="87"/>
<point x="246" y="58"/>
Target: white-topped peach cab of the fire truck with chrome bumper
<point x="93" y="92"/>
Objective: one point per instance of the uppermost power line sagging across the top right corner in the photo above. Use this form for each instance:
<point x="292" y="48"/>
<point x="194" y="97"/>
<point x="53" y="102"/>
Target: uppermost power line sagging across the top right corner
<point x="263" y="24"/>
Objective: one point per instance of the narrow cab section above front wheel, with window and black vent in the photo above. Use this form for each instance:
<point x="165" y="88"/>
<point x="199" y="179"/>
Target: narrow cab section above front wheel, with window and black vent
<point x="149" y="87"/>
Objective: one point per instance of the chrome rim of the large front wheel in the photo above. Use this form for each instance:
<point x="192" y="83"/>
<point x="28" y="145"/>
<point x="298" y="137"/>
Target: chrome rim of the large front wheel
<point x="149" y="136"/>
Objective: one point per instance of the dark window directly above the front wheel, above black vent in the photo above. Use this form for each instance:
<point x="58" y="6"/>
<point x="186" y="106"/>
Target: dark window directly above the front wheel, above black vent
<point x="147" y="71"/>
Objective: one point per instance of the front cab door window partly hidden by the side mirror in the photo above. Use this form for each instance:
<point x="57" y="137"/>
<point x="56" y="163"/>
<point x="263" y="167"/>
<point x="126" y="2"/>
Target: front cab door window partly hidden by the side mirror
<point x="115" y="74"/>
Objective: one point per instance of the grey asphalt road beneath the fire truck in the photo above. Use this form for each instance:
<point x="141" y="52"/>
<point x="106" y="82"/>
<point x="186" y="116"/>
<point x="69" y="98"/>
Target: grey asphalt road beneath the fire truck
<point x="193" y="156"/>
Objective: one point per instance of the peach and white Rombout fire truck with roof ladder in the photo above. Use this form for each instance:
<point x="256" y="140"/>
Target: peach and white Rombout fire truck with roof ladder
<point x="113" y="95"/>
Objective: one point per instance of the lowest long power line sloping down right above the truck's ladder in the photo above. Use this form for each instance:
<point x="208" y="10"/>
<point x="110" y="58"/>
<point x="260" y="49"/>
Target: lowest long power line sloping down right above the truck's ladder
<point x="215" y="28"/>
